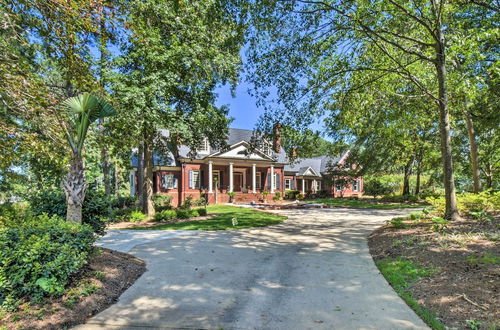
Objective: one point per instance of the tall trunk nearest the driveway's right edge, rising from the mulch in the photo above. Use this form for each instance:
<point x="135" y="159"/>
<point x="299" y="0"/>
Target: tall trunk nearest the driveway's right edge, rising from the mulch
<point x="451" y="211"/>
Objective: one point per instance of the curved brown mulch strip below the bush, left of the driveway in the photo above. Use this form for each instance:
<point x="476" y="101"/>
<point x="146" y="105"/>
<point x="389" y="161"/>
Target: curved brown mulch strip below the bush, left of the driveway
<point x="110" y="271"/>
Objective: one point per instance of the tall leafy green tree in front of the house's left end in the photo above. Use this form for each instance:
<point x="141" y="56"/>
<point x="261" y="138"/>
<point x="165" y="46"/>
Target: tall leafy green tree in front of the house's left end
<point x="177" y="53"/>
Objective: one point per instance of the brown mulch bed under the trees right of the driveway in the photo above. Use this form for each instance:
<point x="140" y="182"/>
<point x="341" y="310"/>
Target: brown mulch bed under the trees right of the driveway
<point x="462" y="289"/>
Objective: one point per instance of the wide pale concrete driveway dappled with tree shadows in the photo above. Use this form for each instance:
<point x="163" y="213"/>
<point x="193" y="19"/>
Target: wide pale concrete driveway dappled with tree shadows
<point x="313" y="271"/>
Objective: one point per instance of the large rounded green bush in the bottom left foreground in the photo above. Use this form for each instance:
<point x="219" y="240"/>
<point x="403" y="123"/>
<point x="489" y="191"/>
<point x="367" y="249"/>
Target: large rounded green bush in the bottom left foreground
<point x="38" y="255"/>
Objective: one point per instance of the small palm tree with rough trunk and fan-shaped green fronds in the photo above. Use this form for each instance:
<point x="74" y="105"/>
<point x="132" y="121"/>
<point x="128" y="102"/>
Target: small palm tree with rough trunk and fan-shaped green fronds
<point x="82" y="111"/>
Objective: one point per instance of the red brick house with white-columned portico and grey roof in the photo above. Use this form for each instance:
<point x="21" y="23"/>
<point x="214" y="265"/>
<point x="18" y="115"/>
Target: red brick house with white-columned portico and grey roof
<point x="239" y="169"/>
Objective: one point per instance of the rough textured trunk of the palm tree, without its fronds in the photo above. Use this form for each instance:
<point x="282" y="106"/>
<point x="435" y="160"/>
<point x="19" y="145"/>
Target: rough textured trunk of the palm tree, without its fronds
<point x="74" y="188"/>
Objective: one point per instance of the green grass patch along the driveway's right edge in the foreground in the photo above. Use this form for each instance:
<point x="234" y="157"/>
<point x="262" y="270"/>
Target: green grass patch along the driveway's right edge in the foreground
<point x="401" y="273"/>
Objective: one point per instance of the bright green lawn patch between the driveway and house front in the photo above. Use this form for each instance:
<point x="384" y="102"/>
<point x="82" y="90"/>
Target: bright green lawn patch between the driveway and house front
<point x="246" y="217"/>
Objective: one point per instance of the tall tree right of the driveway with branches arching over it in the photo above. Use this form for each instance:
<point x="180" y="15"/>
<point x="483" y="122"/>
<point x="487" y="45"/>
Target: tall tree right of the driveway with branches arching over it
<point x="308" y="50"/>
